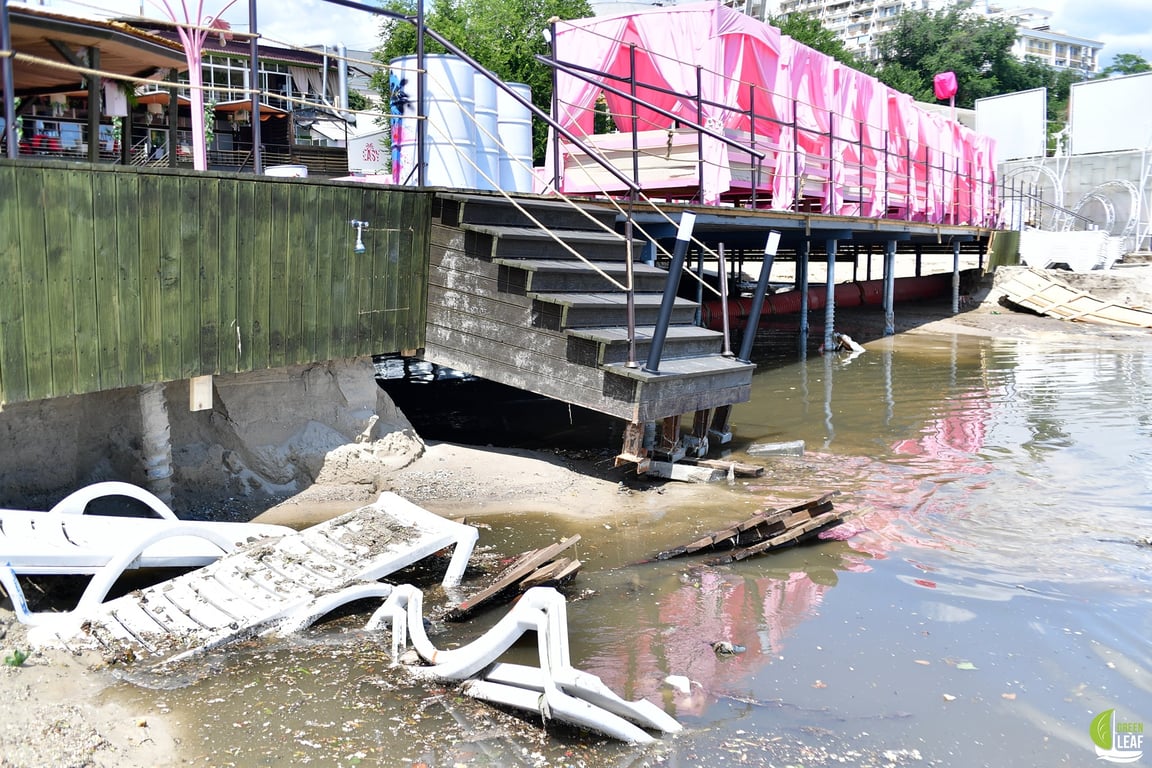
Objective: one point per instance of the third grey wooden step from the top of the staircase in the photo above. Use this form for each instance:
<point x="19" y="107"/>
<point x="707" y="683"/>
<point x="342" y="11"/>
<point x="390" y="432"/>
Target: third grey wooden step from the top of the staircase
<point x="522" y="277"/>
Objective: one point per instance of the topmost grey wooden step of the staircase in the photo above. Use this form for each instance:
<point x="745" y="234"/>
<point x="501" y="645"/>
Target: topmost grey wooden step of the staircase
<point x="460" y="209"/>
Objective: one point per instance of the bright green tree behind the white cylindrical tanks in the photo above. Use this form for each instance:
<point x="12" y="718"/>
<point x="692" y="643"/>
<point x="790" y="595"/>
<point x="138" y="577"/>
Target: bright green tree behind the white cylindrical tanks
<point x="504" y="36"/>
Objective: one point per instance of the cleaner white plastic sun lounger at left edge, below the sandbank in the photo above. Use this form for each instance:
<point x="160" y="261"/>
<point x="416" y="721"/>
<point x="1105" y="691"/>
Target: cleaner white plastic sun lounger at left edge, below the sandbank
<point x="67" y="542"/>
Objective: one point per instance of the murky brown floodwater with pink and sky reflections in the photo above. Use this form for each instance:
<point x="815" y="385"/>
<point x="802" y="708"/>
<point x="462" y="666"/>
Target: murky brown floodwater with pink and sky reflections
<point x="996" y="595"/>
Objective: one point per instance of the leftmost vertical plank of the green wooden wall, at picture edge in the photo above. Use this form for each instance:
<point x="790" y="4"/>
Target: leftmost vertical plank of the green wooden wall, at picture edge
<point x="14" y="384"/>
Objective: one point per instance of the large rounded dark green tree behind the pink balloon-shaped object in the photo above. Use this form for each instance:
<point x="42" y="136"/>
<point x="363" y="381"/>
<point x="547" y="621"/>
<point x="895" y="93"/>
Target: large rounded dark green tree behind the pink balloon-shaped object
<point x="924" y="43"/>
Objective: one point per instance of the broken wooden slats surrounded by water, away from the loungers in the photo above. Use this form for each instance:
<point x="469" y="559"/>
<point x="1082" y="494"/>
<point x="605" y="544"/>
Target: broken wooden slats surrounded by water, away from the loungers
<point x="763" y="533"/>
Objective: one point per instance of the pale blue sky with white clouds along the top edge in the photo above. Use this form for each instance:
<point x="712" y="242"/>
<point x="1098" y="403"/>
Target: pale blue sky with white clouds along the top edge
<point x="1123" y="26"/>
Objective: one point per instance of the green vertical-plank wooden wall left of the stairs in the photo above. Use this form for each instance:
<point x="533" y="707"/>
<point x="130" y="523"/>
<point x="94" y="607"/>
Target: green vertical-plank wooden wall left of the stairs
<point x="116" y="277"/>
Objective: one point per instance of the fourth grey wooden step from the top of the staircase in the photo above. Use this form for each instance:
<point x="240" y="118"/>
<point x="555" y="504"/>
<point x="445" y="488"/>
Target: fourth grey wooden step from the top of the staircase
<point x="563" y="311"/>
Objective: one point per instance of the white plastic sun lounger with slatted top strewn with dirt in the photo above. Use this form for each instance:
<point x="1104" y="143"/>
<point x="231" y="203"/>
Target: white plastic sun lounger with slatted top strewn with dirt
<point x="290" y="581"/>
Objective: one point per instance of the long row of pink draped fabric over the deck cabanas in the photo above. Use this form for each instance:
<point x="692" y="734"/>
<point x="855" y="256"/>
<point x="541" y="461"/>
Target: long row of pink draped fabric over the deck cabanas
<point x="863" y="148"/>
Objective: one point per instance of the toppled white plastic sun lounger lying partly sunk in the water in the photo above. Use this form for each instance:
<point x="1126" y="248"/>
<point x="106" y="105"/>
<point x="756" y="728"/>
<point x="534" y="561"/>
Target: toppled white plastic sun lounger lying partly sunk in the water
<point x="556" y="690"/>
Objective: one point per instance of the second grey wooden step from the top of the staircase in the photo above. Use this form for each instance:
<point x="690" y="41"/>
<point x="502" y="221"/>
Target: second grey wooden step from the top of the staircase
<point x="533" y="244"/>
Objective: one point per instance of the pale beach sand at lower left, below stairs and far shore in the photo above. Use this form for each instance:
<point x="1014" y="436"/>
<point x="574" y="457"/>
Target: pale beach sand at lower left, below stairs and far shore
<point x="59" y="712"/>
